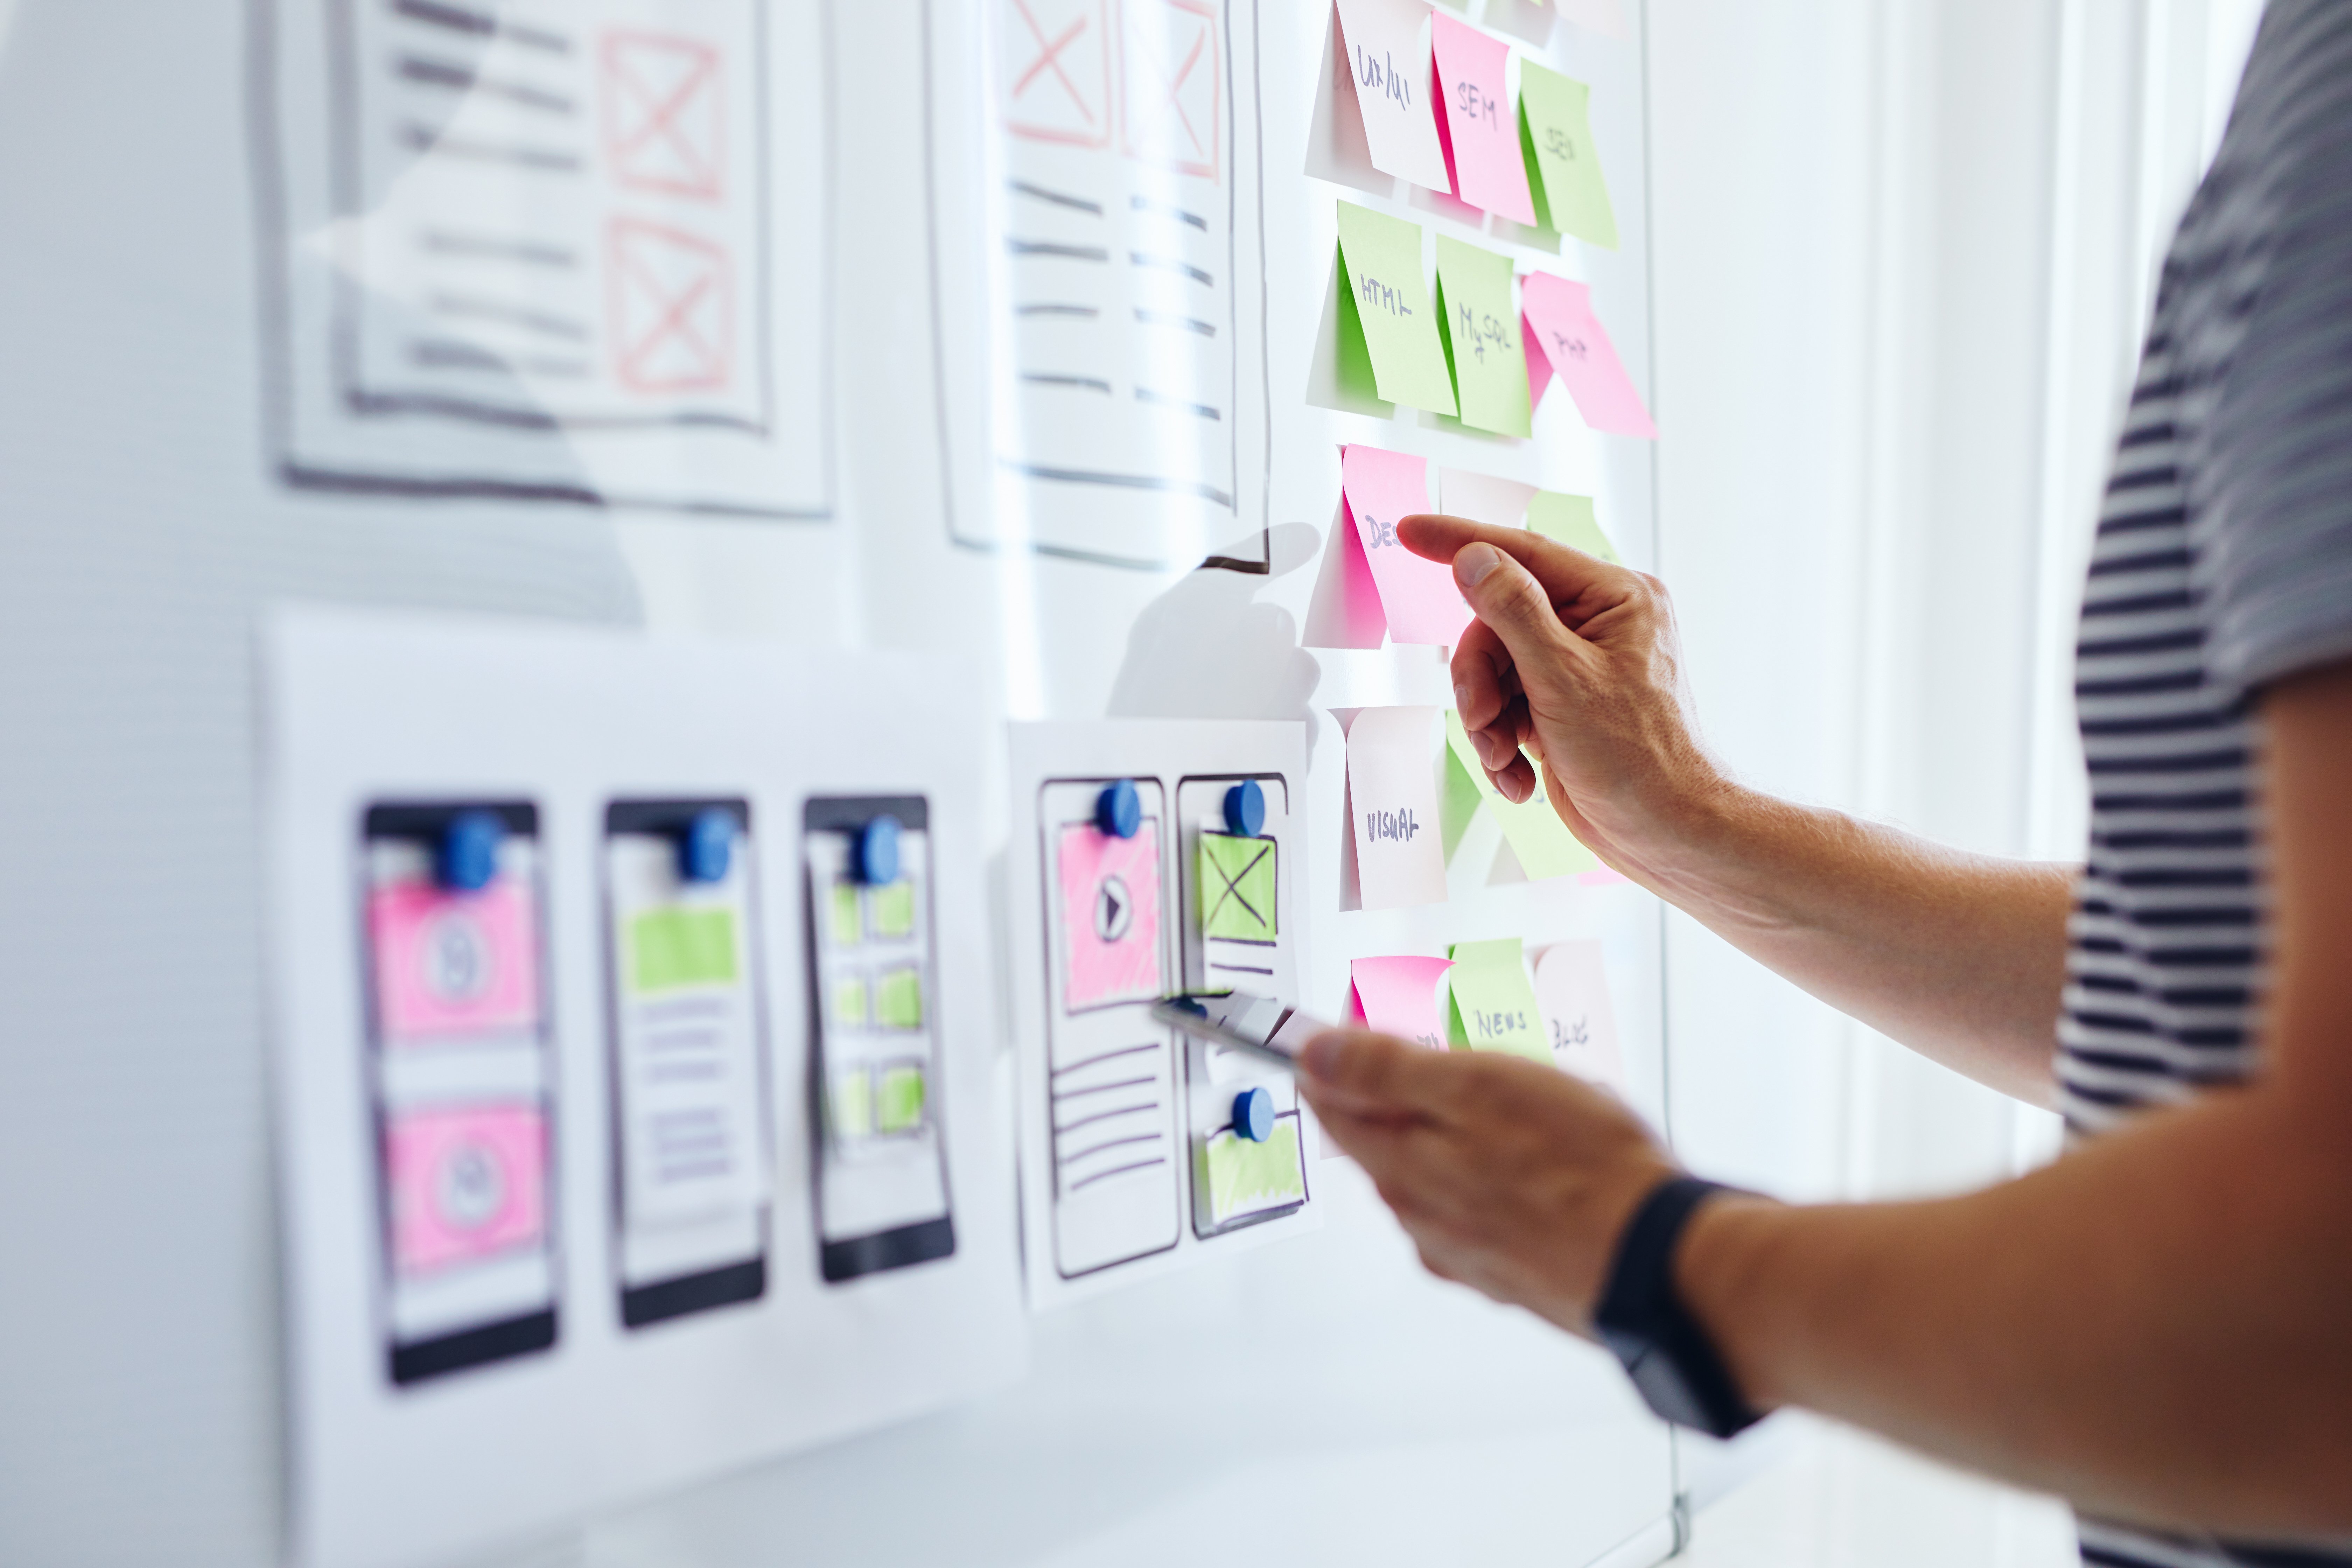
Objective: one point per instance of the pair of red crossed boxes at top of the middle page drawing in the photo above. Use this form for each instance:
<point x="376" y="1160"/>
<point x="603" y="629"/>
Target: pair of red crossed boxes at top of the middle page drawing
<point x="1057" y="76"/>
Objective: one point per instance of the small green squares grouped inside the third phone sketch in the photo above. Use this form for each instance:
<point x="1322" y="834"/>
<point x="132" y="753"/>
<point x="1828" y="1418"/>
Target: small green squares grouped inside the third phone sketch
<point x="886" y="1099"/>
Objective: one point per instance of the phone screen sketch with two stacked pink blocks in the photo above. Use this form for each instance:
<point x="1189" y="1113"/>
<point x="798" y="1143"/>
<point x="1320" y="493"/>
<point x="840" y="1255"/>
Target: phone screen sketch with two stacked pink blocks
<point x="462" y="1083"/>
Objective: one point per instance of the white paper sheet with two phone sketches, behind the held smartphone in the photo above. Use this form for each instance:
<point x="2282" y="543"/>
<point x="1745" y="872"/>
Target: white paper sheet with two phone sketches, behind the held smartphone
<point x="1121" y="1118"/>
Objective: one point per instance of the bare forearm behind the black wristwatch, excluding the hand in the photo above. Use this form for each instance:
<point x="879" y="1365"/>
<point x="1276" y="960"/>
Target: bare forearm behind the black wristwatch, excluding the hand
<point x="2153" y="1327"/>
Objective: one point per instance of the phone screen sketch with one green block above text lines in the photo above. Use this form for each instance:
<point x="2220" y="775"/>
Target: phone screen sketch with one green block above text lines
<point x="688" y="1057"/>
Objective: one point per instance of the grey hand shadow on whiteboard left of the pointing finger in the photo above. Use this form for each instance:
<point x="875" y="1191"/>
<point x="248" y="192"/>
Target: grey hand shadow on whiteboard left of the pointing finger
<point x="1210" y="650"/>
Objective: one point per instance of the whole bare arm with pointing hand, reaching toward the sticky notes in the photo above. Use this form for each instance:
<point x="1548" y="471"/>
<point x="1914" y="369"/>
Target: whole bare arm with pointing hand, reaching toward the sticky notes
<point x="1577" y="662"/>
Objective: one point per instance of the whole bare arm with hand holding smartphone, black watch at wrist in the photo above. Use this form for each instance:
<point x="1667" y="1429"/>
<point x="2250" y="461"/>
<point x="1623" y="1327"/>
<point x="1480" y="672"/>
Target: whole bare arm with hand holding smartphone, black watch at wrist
<point x="2153" y="1327"/>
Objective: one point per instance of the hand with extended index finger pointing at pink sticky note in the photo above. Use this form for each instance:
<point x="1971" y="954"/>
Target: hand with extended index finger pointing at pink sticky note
<point x="1575" y="666"/>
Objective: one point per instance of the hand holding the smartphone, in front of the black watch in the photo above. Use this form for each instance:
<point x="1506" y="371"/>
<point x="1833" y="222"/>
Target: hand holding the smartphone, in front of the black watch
<point x="1509" y="1177"/>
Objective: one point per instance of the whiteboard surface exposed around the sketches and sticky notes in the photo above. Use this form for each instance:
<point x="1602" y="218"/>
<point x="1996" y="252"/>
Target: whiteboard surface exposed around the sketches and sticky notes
<point x="1321" y="1393"/>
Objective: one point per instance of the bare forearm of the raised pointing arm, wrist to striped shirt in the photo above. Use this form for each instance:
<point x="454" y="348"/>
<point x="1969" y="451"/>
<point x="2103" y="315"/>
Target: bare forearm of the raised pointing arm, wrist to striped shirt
<point x="1951" y="953"/>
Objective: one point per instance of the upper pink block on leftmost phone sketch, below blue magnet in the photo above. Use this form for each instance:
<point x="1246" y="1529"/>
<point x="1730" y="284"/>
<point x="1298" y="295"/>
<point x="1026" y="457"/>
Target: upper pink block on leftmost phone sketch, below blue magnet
<point x="455" y="963"/>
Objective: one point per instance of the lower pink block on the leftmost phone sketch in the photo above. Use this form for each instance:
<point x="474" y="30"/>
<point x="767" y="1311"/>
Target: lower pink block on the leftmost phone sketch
<point x="467" y="1184"/>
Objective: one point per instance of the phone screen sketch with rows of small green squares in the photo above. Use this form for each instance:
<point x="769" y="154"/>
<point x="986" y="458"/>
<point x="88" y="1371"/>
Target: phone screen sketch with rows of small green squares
<point x="881" y="1160"/>
